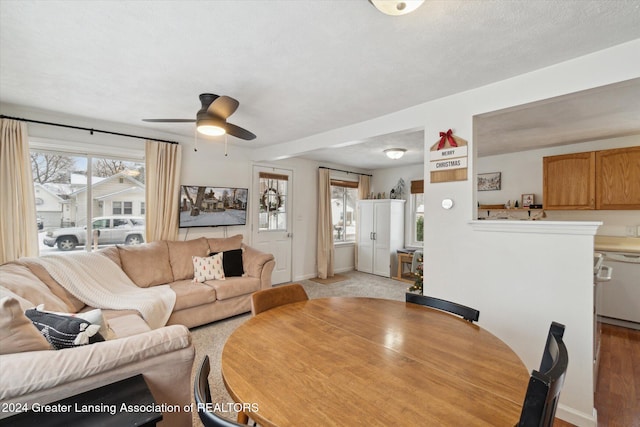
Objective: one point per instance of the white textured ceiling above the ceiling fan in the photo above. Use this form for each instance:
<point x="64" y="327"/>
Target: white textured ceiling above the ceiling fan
<point x="298" y="68"/>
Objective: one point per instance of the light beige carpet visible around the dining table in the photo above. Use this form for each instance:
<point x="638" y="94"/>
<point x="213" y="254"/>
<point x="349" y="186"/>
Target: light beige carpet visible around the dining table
<point x="210" y="339"/>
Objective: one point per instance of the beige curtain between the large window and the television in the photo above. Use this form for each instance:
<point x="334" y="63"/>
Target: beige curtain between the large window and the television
<point x="162" y="176"/>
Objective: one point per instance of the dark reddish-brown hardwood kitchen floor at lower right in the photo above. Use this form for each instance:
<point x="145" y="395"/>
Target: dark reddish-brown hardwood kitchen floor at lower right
<point x="618" y="391"/>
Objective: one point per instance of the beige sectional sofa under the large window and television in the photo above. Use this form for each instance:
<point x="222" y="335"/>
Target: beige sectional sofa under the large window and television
<point x="164" y="356"/>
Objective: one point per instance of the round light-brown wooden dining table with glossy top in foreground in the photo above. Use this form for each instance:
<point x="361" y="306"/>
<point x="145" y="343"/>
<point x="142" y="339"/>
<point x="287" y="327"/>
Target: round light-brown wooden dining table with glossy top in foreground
<point x="371" y="362"/>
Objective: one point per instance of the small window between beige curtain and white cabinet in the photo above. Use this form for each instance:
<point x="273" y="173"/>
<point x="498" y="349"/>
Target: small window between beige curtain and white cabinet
<point x="344" y="195"/>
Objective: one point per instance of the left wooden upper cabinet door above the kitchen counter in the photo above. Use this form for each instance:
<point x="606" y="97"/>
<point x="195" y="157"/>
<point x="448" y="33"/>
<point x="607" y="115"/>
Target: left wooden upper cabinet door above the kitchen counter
<point x="569" y="181"/>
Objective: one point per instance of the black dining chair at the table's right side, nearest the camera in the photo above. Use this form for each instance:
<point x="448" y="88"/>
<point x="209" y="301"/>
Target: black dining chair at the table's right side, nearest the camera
<point x="543" y="392"/>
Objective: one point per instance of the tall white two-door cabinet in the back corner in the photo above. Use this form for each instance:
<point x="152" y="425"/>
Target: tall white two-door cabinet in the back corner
<point x="380" y="235"/>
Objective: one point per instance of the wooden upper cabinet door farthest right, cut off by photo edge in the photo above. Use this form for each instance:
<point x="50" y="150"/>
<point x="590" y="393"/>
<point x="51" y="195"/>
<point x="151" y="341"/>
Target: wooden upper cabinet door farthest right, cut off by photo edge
<point x="618" y="178"/>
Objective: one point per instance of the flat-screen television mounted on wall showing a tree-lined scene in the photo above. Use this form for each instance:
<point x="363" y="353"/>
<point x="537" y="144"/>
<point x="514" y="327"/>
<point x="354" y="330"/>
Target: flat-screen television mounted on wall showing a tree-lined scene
<point x="212" y="206"/>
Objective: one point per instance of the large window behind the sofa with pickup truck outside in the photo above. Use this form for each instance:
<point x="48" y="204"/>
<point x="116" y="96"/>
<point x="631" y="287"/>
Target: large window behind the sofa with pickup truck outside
<point x="79" y="189"/>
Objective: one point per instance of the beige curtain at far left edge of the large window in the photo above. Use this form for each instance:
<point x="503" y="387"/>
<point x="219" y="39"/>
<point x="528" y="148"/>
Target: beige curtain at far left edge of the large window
<point x="18" y="229"/>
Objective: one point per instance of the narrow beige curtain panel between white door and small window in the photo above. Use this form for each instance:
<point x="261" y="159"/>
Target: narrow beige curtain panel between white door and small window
<point x="325" y="252"/>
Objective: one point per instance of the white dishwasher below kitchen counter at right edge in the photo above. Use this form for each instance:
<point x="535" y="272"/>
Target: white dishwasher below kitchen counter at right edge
<point x="619" y="301"/>
